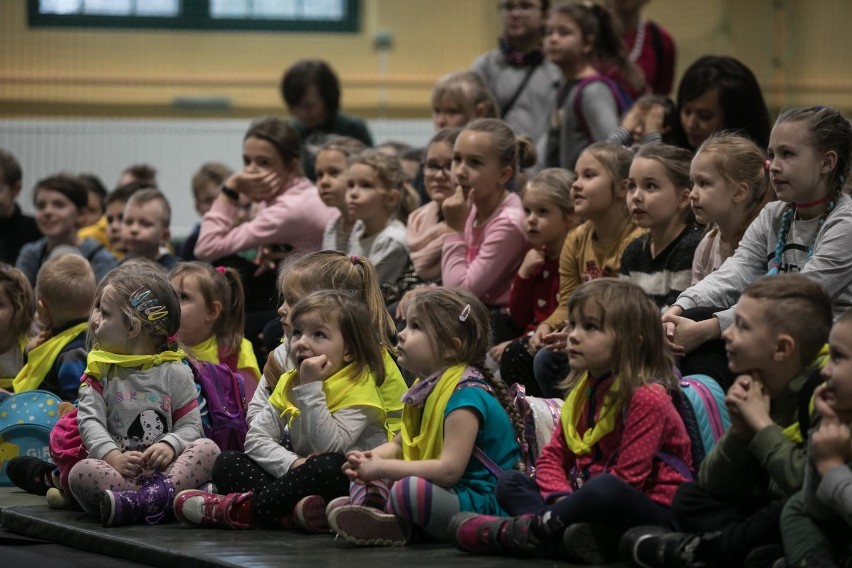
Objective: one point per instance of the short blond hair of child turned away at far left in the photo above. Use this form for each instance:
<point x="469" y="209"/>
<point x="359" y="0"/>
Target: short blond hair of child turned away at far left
<point x="66" y="286"/>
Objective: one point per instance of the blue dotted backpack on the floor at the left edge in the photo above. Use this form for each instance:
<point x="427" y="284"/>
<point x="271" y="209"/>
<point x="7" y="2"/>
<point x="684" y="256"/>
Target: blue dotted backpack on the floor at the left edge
<point x="26" y="419"/>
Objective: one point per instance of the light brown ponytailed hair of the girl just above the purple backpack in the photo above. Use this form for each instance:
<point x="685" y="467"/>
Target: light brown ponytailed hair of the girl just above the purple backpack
<point x="221" y="285"/>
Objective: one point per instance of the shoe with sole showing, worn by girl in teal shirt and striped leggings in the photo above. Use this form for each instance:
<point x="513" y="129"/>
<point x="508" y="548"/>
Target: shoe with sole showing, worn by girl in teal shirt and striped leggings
<point x="368" y="527"/>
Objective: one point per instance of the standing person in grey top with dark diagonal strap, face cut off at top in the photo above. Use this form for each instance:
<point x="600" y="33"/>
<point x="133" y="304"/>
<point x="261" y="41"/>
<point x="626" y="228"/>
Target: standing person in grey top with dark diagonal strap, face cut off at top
<point x="517" y="73"/>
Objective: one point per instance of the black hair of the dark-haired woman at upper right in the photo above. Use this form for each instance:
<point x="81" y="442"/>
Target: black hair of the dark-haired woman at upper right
<point x="740" y="97"/>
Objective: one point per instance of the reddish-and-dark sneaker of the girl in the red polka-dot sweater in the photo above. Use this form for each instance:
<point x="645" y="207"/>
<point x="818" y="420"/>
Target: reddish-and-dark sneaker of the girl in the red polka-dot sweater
<point x="483" y="534"/>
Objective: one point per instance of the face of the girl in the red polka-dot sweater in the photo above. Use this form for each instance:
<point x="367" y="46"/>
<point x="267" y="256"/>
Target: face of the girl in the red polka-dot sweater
<point x="591" y="345"/>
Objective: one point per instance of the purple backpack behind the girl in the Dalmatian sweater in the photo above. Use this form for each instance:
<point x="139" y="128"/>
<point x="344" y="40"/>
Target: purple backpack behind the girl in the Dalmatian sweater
<point x="223" y="407"/>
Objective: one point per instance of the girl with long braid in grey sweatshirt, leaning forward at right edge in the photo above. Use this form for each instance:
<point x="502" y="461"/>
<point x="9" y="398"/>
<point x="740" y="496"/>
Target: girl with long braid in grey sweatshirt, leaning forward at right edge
<point x="808" y="230"/>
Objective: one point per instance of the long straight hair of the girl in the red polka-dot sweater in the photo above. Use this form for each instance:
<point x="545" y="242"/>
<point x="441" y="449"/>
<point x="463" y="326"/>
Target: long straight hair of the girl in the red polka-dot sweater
<point x="640" y="355"/>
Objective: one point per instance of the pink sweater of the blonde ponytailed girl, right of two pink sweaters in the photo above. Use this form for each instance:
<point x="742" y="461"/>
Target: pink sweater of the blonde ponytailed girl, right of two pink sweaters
<point x="484" y="258"/>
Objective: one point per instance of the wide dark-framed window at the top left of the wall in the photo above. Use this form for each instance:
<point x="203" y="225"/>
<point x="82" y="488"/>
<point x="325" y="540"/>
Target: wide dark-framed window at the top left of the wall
<point x="269" y="15"/>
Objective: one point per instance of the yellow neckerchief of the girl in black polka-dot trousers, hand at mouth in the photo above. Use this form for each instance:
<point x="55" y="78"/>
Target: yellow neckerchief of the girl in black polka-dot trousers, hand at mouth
<point x="341" y="391"/>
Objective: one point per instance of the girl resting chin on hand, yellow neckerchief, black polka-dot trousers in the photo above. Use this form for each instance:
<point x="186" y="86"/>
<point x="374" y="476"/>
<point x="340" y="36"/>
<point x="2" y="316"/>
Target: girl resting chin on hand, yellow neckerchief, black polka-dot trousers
<point x="329" y="404"/>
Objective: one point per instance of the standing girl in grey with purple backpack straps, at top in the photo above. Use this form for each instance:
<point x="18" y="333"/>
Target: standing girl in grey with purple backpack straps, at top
<point x="588" y="104"/>
